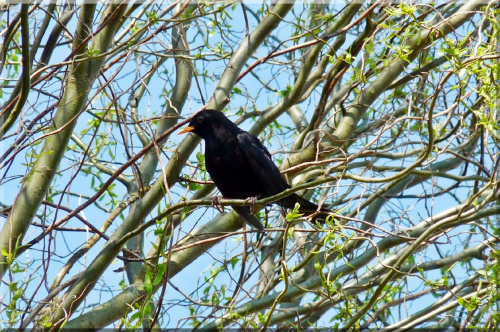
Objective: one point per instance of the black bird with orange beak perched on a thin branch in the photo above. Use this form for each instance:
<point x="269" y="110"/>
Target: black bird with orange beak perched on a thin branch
<point x="241" y="167"/>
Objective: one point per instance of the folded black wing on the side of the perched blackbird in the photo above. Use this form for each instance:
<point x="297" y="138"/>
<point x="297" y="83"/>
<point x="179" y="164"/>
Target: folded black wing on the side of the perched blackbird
<point x="261" y="163"/>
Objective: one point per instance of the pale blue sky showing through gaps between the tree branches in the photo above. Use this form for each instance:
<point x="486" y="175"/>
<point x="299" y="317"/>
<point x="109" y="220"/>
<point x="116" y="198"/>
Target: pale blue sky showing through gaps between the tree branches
<point x="153" y="104"/>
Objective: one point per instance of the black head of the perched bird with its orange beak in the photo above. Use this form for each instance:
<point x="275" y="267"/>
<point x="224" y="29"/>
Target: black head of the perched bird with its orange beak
<point x="206" y="122"/>
